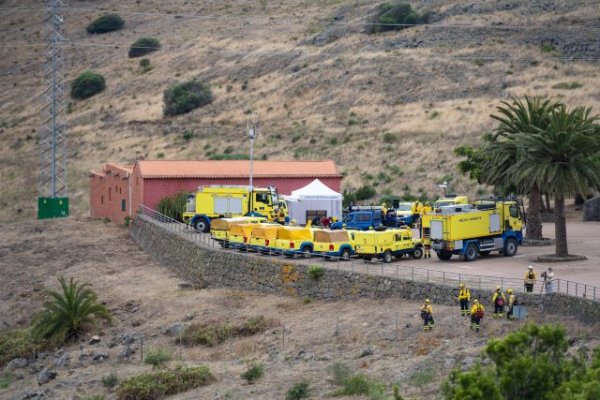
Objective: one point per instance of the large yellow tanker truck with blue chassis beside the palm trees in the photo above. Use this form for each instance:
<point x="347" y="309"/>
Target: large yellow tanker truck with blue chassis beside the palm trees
<point x="471" y="231"/>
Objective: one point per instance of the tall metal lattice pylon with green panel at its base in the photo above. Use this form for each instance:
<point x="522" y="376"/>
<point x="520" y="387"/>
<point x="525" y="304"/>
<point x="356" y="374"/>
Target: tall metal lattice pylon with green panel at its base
<point x="53" y="200"/>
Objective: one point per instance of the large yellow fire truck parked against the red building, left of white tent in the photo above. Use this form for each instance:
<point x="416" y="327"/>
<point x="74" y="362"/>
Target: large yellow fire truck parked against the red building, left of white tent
<point x="210" y="202"/>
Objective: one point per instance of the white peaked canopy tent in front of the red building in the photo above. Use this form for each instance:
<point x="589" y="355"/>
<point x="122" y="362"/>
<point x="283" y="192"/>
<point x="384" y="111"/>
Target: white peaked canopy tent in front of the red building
<point x="316" y="198"/>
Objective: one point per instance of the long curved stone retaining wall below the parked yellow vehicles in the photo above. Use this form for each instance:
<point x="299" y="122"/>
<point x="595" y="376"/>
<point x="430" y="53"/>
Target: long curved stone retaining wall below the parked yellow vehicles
<point x="207" y="267"/>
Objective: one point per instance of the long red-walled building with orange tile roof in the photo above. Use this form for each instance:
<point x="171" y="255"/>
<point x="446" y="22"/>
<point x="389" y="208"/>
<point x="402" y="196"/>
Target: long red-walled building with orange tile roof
<point x="117" y="191"/>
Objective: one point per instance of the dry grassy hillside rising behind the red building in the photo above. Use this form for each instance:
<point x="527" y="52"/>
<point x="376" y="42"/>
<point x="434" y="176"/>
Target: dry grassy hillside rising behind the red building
<point x="388" y="107"/>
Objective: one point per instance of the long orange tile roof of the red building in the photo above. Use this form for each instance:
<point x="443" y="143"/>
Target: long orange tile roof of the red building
<point x="236" y="169"/>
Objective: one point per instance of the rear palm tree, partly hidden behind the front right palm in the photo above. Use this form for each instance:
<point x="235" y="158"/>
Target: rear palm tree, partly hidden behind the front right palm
<point x="517" y="117"/>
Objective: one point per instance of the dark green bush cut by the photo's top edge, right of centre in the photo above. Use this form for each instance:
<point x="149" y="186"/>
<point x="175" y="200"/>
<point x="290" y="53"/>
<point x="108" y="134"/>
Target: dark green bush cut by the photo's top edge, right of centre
<point x="396" y="16"/>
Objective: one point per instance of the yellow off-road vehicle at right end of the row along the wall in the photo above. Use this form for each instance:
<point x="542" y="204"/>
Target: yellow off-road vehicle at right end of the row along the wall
<point x="387" y="244"/>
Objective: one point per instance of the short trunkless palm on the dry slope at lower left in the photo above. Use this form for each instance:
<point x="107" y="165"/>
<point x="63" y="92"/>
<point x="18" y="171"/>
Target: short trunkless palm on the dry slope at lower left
<point x="68" y="312"/>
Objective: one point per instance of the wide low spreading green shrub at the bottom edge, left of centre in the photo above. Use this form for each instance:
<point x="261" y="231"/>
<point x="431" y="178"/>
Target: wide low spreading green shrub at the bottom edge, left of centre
<point x="156" y="385"/>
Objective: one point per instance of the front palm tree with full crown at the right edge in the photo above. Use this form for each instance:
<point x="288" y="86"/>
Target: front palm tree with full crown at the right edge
<point x="562" y="159"/>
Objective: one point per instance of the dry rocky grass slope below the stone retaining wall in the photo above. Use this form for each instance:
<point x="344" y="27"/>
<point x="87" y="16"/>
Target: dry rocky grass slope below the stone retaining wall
<point x="381" y="338"/>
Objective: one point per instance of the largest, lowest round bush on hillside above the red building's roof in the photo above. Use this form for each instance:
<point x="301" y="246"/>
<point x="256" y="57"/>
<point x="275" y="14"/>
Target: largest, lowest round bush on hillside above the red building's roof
<point x="185" y="97"/>
